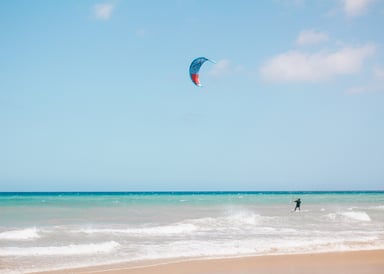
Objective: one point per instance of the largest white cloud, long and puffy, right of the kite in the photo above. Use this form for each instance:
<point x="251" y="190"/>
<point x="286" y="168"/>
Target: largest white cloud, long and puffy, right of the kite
<point x="297" y="66"/>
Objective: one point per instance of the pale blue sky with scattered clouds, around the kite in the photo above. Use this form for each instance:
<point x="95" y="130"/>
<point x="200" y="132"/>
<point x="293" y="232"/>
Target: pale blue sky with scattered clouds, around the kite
<point x="96" y="95"/>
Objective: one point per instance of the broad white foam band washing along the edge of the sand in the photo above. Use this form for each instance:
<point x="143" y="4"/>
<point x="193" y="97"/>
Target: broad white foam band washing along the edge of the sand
<point x="251" y="246"/>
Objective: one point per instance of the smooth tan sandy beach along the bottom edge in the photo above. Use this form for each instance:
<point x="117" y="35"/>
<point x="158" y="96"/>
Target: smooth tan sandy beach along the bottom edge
<point x="351" y="262"/>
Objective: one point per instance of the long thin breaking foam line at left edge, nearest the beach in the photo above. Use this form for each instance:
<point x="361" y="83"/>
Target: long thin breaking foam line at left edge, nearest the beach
<point x="82" y="249"/>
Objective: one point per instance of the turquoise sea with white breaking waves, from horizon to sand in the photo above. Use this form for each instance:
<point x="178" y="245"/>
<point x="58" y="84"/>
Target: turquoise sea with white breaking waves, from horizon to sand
<point x="46" y="231"/>
